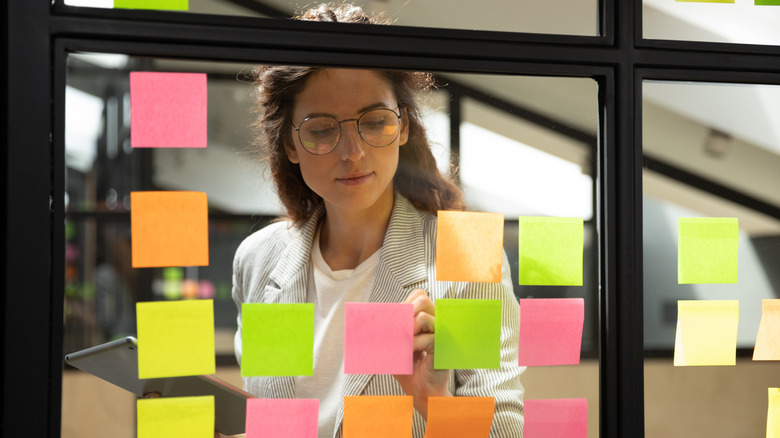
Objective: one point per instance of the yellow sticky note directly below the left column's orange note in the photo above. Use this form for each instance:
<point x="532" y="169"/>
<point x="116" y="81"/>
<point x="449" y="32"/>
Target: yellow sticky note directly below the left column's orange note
<point x="175" y="338"/>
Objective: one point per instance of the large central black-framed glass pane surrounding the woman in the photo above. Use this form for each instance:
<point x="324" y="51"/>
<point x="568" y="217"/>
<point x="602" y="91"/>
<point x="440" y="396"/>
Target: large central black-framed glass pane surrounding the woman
<point x="523" y="146"/>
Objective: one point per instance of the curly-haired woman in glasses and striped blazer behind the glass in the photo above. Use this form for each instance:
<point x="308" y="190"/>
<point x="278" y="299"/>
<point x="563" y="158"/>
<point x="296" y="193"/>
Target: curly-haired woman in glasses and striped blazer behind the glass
<point x="353" y="167"/>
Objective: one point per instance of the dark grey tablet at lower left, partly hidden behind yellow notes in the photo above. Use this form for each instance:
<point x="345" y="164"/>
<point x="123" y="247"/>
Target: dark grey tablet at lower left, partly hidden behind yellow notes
<point x="117" y="362"/>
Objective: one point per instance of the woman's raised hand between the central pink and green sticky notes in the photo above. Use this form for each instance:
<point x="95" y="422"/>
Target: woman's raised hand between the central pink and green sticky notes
<point x="424" y="381"/>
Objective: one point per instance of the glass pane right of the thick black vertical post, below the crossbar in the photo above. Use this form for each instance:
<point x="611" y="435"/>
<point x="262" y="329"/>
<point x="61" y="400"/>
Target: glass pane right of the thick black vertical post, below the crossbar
<point x="712" y="151"/>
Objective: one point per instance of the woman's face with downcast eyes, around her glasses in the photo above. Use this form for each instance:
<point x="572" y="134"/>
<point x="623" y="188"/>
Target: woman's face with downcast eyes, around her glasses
<point x="355" y="175"/>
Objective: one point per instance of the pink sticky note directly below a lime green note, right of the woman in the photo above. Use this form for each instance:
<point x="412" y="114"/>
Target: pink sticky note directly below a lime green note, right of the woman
<point x="551" y="331"/>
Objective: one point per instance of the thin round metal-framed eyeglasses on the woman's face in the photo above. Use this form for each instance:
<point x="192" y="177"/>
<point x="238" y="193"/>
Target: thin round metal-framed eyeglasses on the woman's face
<point x="321" y="134"/>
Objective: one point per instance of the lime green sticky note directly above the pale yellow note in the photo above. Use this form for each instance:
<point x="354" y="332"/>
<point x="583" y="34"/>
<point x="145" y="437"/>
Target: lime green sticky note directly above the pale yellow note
<point x="707" y="250"/>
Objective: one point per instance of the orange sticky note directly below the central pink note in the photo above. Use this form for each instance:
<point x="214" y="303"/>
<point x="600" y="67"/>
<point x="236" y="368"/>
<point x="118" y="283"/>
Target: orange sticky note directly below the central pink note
<point x="378" y="416"/>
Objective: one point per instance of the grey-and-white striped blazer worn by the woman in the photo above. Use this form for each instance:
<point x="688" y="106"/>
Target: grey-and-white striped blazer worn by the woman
<point x="271" y="266"/>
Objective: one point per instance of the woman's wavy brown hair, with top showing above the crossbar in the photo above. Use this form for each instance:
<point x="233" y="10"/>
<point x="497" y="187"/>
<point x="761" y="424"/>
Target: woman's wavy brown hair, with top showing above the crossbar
<point x="417" y="177"/>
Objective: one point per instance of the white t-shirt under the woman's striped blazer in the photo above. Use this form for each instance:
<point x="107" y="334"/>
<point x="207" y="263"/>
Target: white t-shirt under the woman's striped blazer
<point x="329" y="290"/>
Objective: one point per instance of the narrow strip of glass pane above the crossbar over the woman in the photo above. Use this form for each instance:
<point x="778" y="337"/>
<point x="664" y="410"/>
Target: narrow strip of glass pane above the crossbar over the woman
<point x="565" y="17"/>
